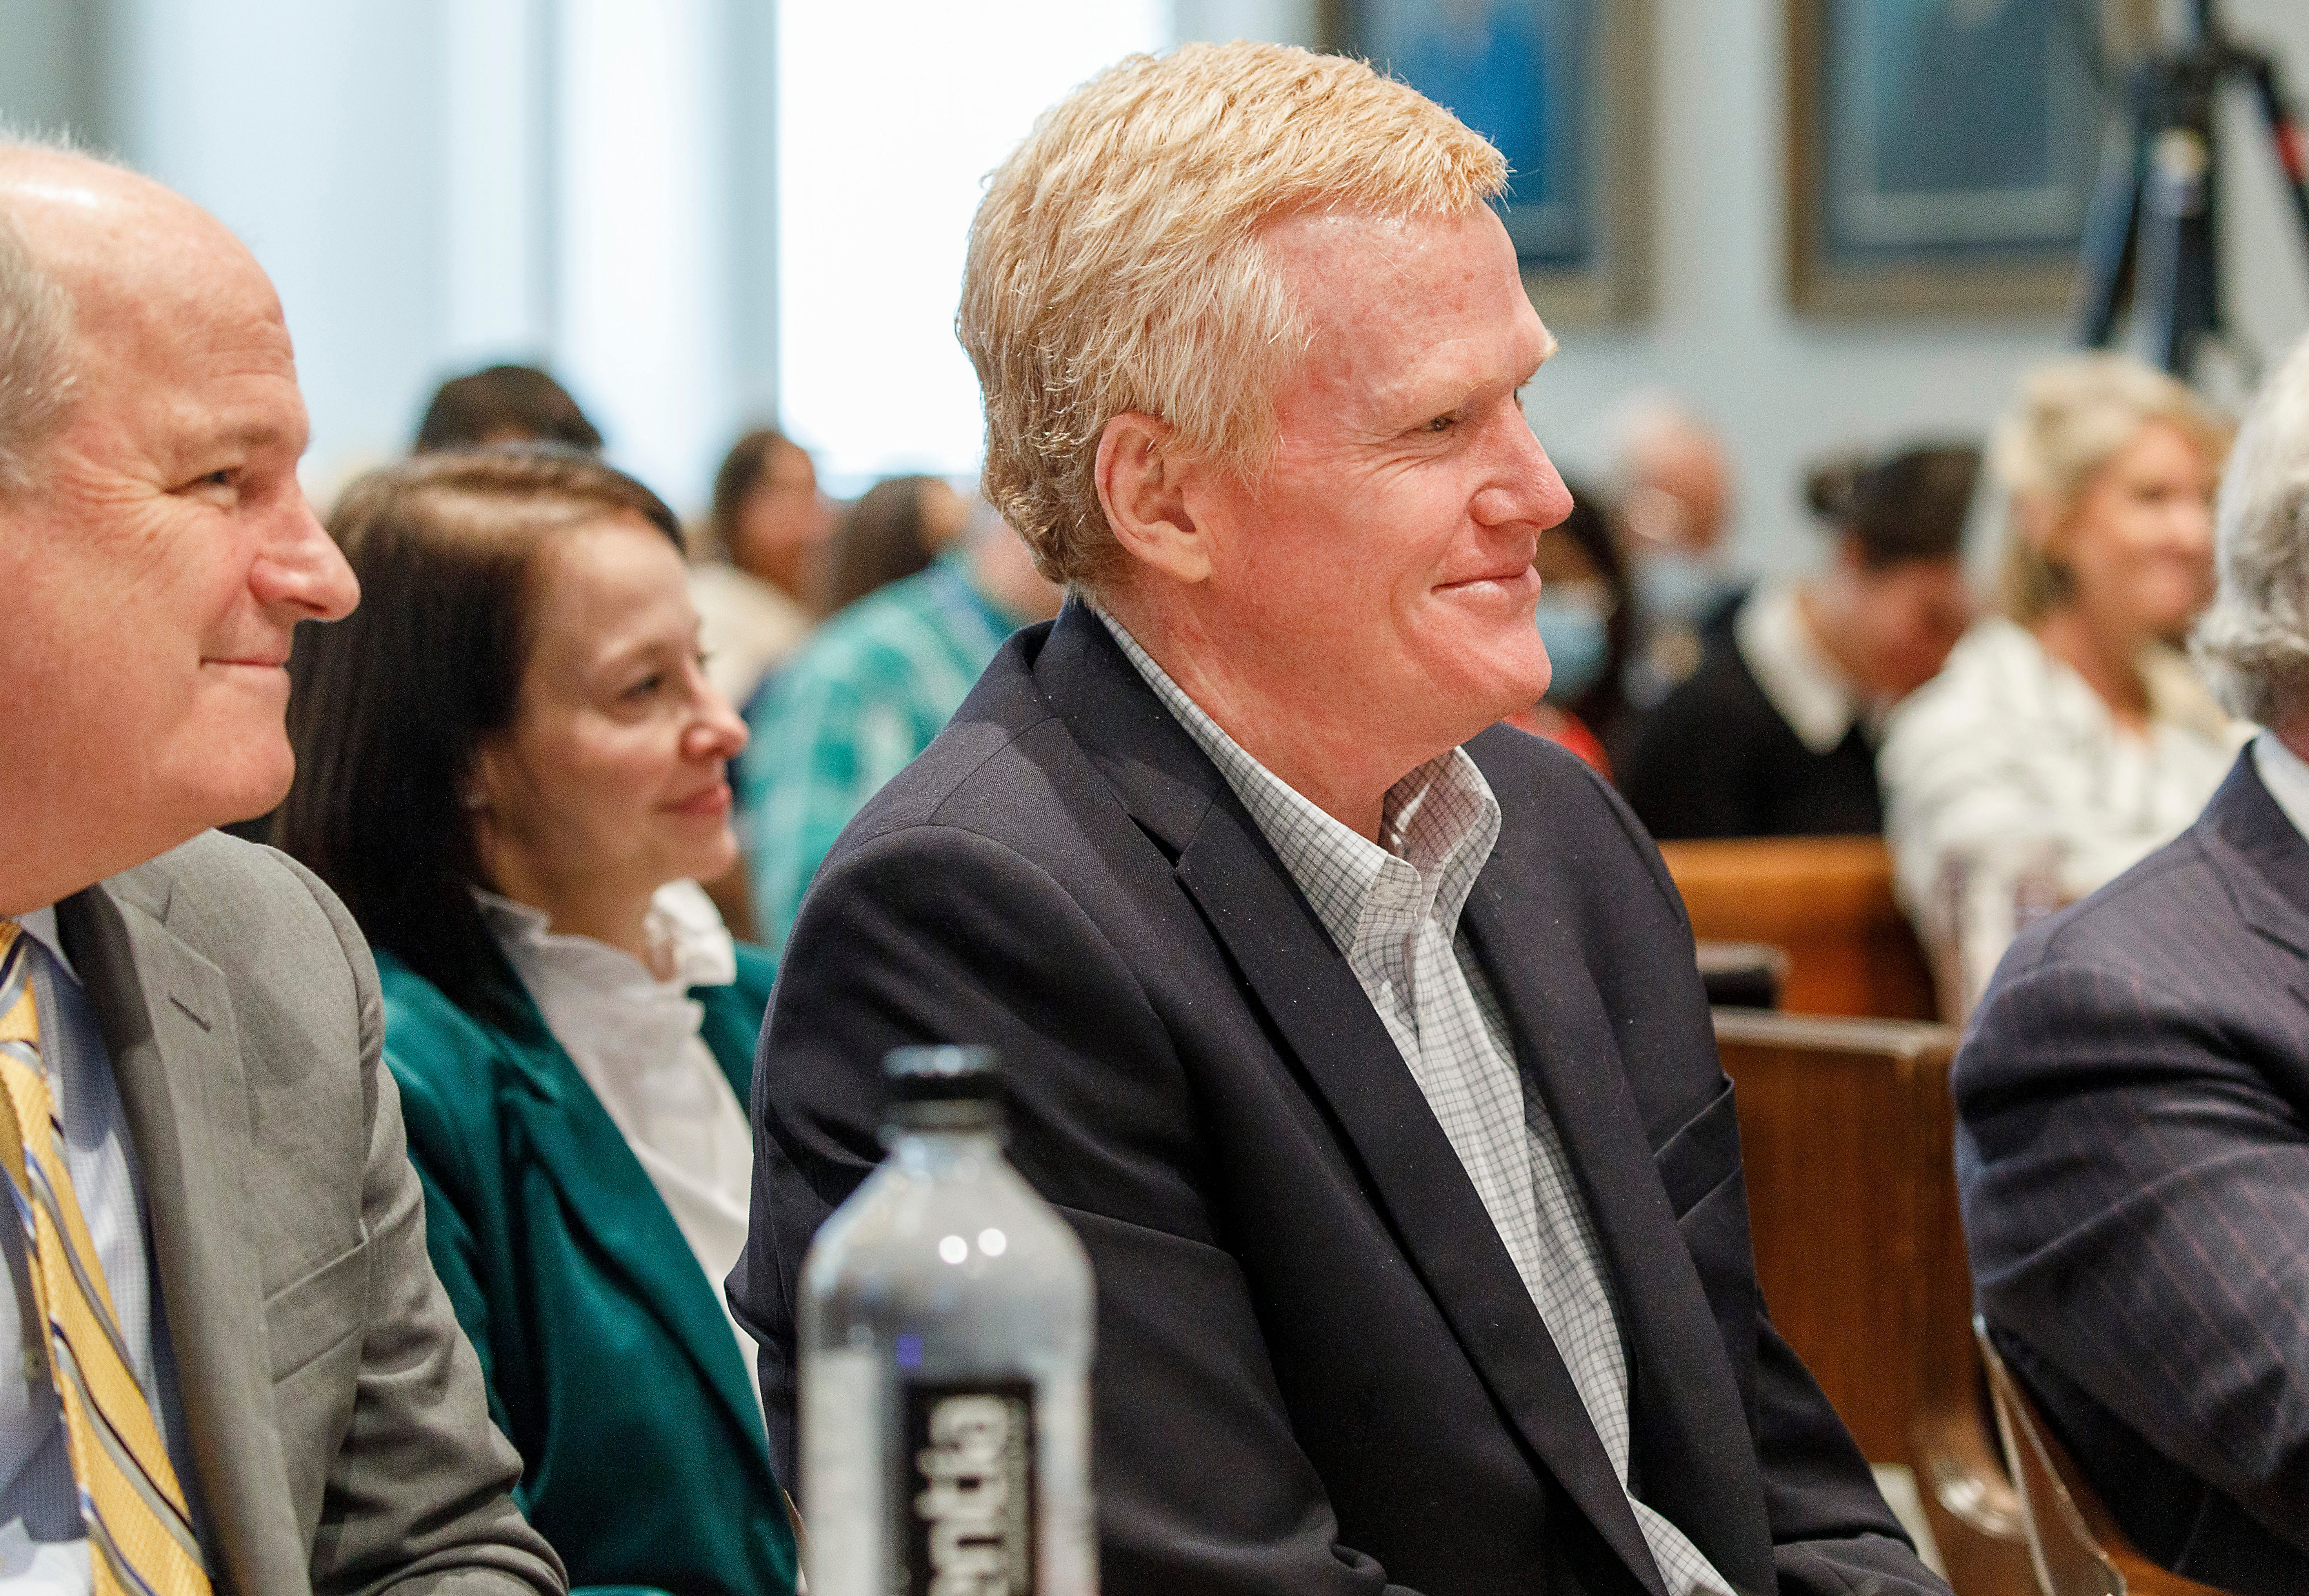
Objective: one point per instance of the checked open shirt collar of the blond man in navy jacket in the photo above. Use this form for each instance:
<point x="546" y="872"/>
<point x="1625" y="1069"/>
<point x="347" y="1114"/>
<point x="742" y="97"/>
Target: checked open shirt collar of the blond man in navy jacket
<point x="1440" y="823"/>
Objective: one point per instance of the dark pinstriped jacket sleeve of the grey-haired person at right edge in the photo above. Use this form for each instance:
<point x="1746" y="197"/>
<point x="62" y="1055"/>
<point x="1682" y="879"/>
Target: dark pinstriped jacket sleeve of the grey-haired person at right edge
<point x="2139" y="1211"/>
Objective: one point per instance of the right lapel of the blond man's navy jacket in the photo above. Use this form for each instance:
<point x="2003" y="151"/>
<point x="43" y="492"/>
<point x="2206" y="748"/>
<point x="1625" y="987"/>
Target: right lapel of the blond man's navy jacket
<point x="1691" y="1445"/>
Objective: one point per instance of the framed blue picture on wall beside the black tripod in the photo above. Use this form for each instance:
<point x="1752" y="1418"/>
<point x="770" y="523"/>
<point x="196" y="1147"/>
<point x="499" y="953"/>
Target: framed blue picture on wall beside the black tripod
<point x="1941" y="154"/>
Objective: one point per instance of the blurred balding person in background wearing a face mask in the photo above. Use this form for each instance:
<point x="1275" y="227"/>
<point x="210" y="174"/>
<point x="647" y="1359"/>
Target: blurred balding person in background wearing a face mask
<point x="1675" y="509"/>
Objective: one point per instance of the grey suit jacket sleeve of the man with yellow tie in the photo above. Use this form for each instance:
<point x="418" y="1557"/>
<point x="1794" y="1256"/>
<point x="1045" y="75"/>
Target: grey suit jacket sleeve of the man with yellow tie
<point x="419" y="1491"/>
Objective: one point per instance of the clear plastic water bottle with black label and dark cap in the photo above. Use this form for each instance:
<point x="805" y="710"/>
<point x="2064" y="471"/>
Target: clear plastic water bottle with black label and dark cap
<point x="946" y="1364"/>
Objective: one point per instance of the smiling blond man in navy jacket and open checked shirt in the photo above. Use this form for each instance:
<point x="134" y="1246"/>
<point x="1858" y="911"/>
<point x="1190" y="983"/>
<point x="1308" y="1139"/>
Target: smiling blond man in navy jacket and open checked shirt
<point x="1361" y="1041"/>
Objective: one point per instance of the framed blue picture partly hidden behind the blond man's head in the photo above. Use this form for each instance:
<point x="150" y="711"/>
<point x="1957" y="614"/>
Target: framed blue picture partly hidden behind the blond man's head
<point x="1562" y="89"/>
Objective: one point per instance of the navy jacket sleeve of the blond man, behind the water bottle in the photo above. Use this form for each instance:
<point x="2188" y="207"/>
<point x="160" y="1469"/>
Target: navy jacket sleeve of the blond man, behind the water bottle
<point x="936" y="934"/>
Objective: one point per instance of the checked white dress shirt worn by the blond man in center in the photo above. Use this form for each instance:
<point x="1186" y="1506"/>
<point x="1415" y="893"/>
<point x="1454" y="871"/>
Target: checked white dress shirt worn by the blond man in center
<point x="1393" y="913"/>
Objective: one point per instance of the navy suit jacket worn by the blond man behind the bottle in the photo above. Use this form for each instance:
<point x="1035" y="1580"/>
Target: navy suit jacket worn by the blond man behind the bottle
<point x="1320" y="1371"/>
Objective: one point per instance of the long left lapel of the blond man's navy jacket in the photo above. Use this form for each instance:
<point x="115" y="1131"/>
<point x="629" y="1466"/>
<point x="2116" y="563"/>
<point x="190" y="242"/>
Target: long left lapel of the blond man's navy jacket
<point x="1343" y="1052"/>
